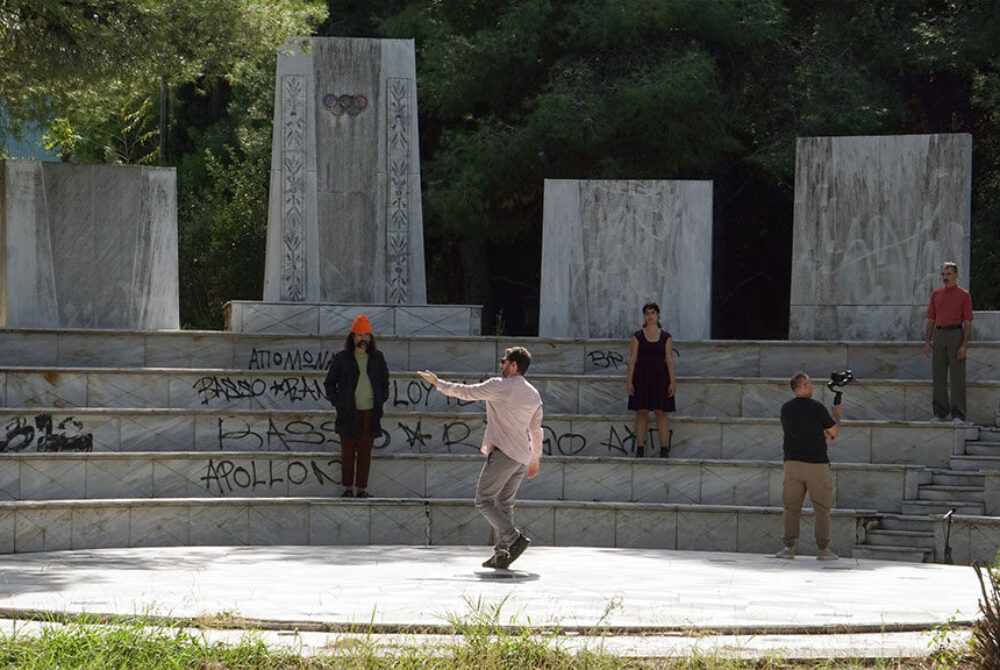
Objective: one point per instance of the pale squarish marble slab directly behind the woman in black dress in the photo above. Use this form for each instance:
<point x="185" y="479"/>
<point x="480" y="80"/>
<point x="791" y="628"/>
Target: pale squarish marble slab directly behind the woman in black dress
<point x="608" y="247"/>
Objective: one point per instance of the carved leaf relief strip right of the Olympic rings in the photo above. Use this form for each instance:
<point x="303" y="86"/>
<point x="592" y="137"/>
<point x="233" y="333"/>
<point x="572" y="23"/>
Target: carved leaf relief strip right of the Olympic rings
<point x="398" y="168"/>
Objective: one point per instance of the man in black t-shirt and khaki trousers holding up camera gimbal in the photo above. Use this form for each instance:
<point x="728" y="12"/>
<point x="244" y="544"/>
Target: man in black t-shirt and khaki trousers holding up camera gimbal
<point x="807" y="426"/>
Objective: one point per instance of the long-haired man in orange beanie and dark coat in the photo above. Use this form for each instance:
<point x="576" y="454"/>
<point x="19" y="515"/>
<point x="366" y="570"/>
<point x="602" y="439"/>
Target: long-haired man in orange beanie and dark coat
<point x="357" y="385"/>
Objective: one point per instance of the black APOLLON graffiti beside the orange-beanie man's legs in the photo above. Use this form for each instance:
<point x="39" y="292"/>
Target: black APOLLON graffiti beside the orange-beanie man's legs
<point x="226" y="476"/>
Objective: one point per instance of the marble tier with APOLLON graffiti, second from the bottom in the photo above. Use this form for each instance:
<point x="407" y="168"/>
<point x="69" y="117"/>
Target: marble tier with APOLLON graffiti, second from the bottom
<point x="281" y="474"/>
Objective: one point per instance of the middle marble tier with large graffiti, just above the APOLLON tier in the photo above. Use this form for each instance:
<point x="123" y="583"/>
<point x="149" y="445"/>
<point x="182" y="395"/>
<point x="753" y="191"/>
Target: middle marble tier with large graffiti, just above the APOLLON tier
<point x="451" y="429"/>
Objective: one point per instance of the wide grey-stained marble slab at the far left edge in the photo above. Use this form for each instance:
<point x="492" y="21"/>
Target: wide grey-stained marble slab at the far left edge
<point x="88" y="246"/>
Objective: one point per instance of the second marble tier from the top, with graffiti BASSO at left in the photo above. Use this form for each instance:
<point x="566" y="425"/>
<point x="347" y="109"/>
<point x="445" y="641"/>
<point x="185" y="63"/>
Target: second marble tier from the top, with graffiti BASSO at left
<point x="884" y="400"/>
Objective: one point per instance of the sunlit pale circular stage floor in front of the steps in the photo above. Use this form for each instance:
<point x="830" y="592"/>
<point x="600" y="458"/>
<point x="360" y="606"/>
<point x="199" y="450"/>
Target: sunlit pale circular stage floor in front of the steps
<point x="629" y="601"/>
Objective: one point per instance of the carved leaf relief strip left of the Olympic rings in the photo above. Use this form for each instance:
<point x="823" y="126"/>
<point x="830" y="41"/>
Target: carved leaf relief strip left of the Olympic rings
<point x="293" y="270"/>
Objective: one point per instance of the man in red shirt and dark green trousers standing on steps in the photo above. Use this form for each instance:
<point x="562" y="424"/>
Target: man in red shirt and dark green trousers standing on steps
<point x="949" y="326"/>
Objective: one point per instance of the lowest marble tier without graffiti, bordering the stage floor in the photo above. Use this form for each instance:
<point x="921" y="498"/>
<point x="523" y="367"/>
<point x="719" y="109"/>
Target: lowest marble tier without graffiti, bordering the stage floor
<point x="89" y="524"/>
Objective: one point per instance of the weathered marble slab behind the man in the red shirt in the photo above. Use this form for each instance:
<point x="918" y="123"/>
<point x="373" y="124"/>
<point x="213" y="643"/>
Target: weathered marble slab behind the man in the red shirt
<point x="874" y="219"/>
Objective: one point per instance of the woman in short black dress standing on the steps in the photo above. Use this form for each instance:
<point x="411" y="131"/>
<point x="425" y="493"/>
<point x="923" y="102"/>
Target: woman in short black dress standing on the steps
<point x="650" y="379"/>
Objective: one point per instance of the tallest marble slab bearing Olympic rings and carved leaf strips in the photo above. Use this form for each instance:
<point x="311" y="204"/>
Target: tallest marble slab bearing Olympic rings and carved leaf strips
<point x="344" y="219"/>
